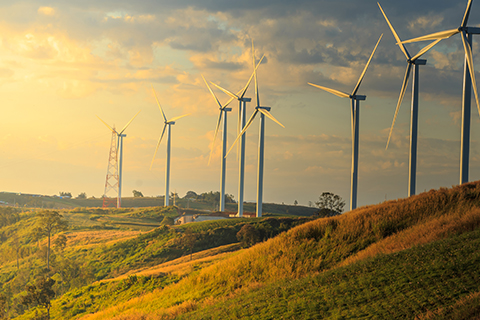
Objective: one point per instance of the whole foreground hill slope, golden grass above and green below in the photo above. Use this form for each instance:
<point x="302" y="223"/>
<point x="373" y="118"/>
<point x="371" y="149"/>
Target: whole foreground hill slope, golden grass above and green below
<point x="351" y="246"/>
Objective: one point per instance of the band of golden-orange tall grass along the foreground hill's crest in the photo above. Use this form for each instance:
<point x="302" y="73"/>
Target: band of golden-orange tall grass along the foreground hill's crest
<point x="322" y="245"/>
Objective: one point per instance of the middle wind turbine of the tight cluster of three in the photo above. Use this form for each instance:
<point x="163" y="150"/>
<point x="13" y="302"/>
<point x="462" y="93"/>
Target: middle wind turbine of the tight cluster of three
<point x="242" y="114"/>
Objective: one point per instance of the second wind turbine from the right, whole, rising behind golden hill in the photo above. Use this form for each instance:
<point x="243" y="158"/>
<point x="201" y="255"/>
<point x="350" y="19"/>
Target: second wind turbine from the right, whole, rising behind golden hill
<point x="414" y="62"/>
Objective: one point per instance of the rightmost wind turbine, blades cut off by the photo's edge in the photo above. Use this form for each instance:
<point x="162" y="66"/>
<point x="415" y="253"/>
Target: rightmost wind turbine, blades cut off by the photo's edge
<point x="468" y="81"/>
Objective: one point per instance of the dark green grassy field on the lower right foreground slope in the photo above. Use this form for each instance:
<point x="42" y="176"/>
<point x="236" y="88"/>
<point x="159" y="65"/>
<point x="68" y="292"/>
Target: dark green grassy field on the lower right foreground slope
<point x="394" y="286"/>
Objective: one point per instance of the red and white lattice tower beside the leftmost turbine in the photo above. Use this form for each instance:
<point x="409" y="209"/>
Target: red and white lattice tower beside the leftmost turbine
<point x="111" y="184"/>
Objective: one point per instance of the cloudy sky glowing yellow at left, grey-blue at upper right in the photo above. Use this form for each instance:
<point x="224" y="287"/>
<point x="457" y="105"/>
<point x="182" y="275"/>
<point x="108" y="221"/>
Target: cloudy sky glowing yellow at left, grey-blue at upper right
<point x="63" y="63"/>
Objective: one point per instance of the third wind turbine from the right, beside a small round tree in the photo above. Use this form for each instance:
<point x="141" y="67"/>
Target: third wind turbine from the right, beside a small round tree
<point x="355" y="125"/>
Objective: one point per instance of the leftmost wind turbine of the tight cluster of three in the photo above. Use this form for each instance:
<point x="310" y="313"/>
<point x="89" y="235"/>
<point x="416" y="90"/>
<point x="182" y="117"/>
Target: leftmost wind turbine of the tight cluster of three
<point x="223" y="112"/>
